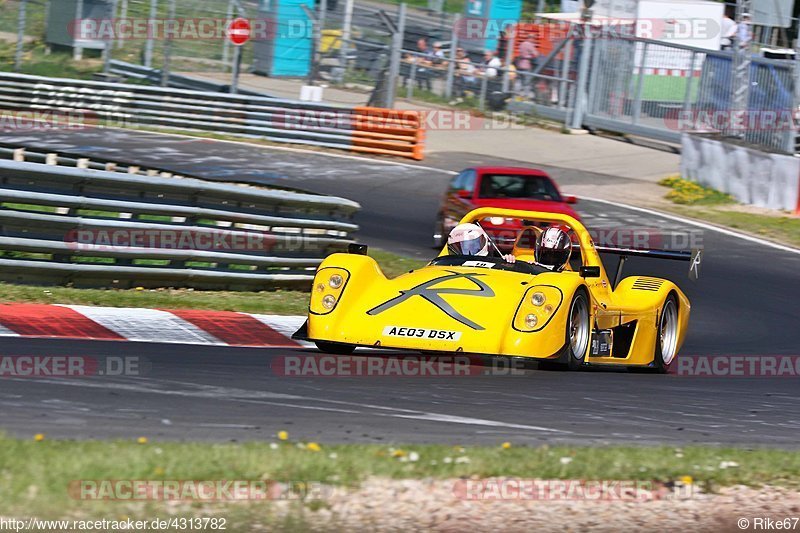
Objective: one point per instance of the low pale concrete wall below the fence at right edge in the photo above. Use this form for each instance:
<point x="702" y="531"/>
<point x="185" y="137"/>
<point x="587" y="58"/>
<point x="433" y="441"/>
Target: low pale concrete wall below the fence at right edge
<point x="751" y="176"/>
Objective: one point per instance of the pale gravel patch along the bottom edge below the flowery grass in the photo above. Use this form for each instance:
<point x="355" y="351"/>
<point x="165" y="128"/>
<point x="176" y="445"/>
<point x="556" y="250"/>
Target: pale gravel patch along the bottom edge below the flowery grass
<point x="412" y="505"/>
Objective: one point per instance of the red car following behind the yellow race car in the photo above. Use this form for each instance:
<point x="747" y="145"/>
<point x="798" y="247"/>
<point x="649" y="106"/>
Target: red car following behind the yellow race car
<point x="507" y="187"/>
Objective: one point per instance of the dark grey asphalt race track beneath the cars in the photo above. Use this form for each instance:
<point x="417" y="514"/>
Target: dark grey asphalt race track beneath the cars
<point x="745" y="304"/>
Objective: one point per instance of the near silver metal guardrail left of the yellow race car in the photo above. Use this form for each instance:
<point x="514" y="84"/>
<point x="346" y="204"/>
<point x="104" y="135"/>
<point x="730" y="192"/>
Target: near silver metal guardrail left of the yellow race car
<point x="85" y="227"/>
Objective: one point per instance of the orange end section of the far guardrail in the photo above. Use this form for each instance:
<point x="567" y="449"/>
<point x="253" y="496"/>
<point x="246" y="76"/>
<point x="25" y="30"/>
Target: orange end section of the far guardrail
<point x="395" y="132"/>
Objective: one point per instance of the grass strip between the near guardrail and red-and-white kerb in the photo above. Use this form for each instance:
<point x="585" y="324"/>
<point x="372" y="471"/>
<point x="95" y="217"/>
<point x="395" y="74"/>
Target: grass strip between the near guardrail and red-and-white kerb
<point x="266" y="302"/>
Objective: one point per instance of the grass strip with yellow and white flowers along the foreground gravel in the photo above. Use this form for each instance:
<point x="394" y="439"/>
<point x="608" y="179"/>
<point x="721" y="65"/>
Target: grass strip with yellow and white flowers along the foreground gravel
<point x="36" y="475"/>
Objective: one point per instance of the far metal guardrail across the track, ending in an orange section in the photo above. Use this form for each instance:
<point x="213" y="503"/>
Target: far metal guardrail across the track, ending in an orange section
<point x="359" y="129"/>
